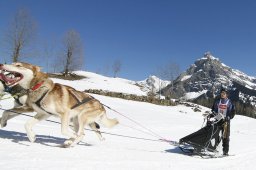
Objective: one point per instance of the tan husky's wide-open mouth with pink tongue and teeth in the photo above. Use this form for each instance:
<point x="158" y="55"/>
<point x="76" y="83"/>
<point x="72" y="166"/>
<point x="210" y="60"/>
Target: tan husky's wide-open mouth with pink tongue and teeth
<point x="10" y="77"/>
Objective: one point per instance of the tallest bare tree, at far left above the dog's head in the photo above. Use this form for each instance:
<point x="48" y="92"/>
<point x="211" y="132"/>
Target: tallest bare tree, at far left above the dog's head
<point x="20" y="34"/>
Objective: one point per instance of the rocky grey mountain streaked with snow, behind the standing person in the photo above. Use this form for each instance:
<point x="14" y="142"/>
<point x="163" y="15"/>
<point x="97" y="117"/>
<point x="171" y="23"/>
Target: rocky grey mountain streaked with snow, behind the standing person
<point x="205" y="78"/>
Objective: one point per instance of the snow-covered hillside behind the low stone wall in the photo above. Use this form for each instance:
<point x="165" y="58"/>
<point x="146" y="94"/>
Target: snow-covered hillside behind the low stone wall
<point x="98" y="82"/>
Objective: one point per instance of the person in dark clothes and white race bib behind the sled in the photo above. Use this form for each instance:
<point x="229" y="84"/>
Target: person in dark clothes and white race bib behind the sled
<point x="225" y="107"/>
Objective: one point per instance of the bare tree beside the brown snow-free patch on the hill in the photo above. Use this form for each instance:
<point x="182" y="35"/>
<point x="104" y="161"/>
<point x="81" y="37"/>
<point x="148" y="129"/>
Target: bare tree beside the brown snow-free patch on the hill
<point x="73" y="52"/>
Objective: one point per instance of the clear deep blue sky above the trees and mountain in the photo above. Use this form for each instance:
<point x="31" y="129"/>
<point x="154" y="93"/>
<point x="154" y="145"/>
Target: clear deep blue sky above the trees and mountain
<point x="147" y="34"/>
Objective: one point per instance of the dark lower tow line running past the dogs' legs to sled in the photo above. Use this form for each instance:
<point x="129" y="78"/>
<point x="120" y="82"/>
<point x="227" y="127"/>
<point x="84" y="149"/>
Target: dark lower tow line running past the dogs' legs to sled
<point x="113" y="134"/>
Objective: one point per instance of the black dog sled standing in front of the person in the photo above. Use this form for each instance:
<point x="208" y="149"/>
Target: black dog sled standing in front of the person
<point x="205" y="141"/>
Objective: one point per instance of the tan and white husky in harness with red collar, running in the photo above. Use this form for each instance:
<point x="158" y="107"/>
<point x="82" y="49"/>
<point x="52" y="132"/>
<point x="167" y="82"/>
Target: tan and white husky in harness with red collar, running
<point x="47" y="98"/>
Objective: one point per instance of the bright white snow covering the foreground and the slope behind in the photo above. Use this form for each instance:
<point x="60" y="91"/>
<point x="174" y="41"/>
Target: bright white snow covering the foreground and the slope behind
<point x="116" y="152"/>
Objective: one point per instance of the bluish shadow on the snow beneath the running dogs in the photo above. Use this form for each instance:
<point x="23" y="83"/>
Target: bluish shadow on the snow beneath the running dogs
<point x="20" y="138"/>
